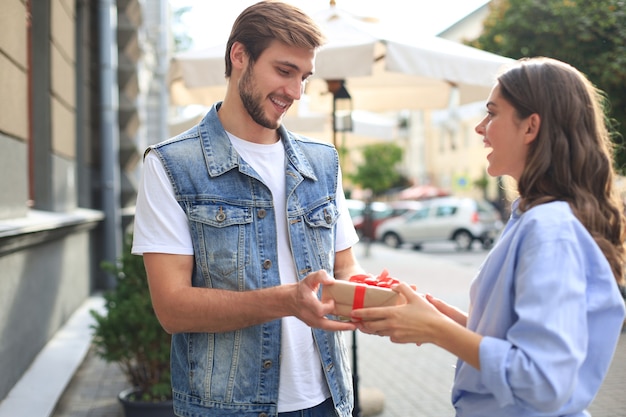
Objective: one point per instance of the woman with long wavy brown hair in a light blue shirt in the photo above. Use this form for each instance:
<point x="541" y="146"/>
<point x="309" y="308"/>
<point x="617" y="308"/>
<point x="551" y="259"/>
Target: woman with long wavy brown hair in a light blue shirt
<point x="545" y="309"/>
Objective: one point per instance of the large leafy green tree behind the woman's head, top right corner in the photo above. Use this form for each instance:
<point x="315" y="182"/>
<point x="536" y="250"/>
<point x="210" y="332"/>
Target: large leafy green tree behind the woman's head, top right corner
<point x="590" y="35"/>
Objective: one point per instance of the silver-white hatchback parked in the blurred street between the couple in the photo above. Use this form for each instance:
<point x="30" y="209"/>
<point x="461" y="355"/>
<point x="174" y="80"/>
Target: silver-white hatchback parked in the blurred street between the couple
<point x="462" y="220"/>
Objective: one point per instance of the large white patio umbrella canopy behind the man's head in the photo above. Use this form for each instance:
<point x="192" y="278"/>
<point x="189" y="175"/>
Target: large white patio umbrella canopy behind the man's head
<point x="382" y="71"/>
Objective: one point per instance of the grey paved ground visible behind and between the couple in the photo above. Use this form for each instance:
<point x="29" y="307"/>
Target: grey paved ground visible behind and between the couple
<point x="412" y="381"/>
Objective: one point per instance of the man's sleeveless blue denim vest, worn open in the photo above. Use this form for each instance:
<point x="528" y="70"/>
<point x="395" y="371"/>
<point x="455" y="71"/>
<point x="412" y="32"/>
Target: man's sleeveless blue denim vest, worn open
<point x="232" y="224"/>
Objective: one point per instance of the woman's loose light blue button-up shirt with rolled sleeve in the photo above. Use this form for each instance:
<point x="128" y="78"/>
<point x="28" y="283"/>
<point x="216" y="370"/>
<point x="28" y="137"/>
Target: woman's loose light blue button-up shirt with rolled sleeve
<point x="550" y="310"/>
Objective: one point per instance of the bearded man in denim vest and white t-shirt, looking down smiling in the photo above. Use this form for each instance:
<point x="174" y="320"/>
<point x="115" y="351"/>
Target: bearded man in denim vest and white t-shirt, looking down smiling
<point x="240" y="222"/>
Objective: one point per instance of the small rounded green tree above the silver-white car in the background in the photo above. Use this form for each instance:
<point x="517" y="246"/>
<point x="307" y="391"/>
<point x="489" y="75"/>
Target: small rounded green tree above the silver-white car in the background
<point x="378" y="171"/>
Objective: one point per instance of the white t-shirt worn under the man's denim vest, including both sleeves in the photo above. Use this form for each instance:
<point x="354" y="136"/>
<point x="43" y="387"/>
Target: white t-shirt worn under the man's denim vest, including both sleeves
<point x="159" y="221"/>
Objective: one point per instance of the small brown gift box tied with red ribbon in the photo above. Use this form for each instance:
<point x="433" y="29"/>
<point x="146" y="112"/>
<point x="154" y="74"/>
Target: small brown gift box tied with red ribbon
<point x="361" y="291"/>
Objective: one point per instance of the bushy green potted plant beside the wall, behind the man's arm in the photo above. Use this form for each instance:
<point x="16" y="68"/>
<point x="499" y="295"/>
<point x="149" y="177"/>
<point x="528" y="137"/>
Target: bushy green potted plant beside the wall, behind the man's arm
<point x="129" y="334"/>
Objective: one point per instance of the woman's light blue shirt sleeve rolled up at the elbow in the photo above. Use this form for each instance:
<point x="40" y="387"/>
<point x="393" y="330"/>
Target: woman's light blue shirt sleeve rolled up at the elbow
<point x="538" y="362"/>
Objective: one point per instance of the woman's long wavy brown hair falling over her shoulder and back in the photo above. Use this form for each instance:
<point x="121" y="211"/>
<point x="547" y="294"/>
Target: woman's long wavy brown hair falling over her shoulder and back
<point x="572" y="157"/>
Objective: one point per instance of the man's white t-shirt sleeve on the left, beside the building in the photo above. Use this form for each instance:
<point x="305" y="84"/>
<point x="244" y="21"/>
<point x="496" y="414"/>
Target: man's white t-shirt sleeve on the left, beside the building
<point x="160" y="223"/>
